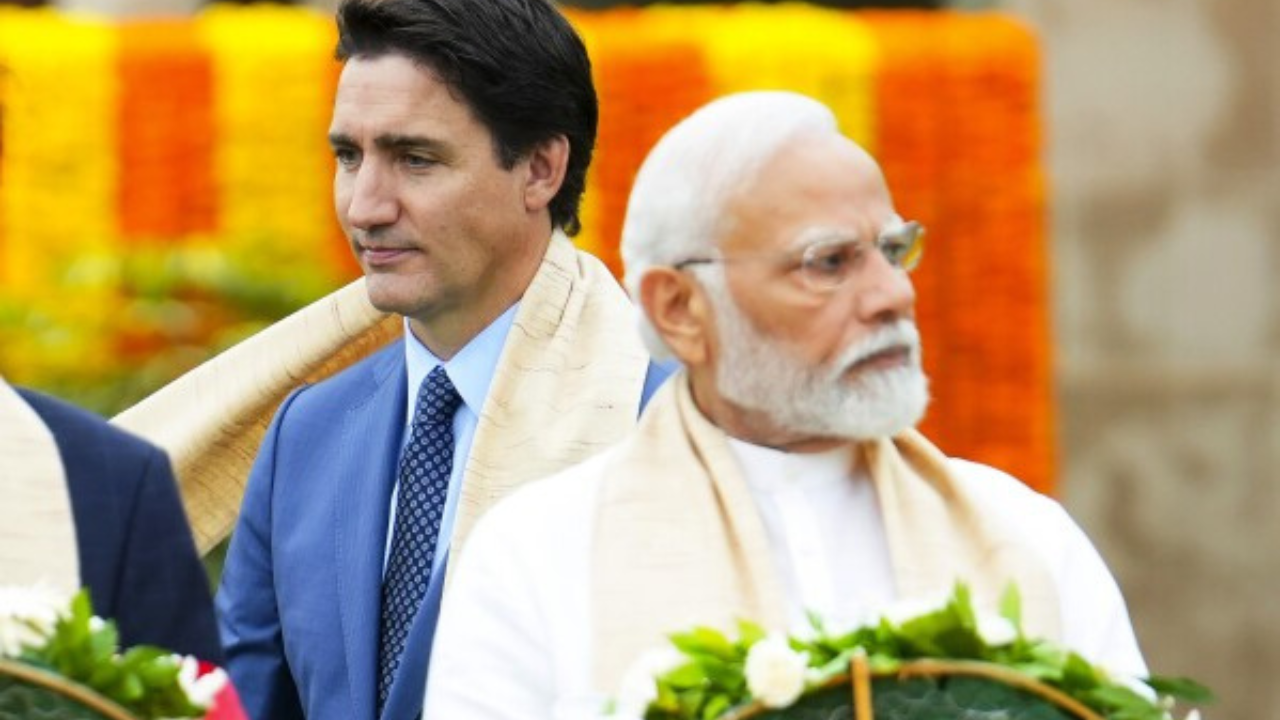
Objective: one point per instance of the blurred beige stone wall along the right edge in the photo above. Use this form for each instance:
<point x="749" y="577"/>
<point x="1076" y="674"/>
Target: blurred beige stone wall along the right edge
<point x="1164" y="148"/>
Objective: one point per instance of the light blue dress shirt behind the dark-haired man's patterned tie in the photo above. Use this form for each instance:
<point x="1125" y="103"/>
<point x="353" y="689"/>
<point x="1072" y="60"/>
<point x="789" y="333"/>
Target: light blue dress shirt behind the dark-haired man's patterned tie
<point x="472" y="373"/>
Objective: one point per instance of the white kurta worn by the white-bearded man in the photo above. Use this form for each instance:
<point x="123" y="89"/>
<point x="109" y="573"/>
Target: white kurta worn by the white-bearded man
<point x="515" y="636"/>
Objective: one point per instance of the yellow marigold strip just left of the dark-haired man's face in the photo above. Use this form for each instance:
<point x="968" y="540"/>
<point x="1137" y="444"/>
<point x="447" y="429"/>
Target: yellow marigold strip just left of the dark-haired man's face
<point x="273" y="83"/>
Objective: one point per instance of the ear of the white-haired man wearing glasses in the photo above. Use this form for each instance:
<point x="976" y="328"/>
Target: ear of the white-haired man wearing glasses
<point x="679" y="312"/>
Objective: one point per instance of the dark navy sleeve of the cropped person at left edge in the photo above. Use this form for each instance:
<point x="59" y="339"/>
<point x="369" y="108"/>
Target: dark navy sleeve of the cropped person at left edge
<point x="163" y="595"/>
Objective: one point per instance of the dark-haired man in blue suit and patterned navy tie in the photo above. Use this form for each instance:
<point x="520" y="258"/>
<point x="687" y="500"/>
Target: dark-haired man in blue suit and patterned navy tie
<point x="463" y="131"/>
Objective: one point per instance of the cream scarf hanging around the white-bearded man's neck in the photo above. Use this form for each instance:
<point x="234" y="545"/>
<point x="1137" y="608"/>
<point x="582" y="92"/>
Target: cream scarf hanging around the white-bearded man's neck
<point x="679" y="541"/>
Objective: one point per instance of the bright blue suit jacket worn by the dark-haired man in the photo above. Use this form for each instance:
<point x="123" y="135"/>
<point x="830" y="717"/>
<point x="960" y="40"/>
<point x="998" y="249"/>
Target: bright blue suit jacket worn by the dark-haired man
<point x="300" y="600"/>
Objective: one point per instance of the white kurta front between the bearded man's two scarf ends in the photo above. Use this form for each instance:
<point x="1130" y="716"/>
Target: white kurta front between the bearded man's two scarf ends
<point x="825" y="526"/>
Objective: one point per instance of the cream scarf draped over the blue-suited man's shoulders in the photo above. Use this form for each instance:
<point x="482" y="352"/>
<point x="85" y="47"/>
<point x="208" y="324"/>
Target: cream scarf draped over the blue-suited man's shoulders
<point x="569" y="382"/>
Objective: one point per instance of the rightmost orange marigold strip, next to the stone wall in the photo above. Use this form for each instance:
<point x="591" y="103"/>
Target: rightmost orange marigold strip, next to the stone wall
<point x="995" y="390"/>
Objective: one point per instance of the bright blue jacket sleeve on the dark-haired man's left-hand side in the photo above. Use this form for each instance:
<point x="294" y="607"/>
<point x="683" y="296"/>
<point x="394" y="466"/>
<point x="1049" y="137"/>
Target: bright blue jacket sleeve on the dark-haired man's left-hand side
<point x="248" y="613"/>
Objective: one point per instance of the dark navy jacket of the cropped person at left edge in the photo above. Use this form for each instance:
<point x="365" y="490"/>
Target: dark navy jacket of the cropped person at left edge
<point x="136" y="554"/>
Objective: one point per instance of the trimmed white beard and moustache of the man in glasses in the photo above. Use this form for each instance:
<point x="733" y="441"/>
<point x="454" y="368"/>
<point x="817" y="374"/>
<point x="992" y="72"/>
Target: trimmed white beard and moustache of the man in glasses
<point x="758" y="375"/>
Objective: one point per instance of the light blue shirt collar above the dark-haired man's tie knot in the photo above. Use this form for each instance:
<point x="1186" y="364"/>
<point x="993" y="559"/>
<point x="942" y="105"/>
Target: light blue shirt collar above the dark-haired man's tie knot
<point x="470" y="371"/>
